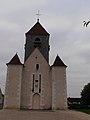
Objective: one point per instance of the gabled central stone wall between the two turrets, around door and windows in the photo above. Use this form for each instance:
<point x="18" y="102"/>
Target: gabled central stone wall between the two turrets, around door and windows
<point x="27" y="81"/>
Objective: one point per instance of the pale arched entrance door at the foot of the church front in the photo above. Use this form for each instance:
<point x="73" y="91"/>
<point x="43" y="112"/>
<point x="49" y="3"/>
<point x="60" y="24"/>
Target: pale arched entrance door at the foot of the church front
<point x="36" y="102"/>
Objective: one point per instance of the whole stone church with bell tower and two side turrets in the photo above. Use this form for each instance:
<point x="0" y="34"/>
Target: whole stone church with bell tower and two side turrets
<point x="35" y="84"/>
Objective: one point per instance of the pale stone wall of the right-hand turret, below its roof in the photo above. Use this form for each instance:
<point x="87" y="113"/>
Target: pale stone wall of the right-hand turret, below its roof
<point x="59" y="92"/>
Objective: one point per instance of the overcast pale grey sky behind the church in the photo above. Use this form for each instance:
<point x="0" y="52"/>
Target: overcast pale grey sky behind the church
<point x="63" y="19"/>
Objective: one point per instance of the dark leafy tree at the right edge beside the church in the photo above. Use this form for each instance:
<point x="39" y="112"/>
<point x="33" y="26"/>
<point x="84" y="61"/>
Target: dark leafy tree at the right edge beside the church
<point x="85" y="95"/>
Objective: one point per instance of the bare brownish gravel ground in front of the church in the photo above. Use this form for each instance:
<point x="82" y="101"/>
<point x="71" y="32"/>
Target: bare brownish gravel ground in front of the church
<point x="42" y="115"/>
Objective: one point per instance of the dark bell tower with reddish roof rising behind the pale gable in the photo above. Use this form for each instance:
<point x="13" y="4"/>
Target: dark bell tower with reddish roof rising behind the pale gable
<point x="37" y="37"/>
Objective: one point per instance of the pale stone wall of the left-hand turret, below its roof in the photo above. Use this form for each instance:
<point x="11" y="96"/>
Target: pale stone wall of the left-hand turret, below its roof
<point x="13" y="87"/>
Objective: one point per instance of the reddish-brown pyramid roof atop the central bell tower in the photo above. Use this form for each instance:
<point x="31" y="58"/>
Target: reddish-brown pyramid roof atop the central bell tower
<point x="37" y="29"/>
